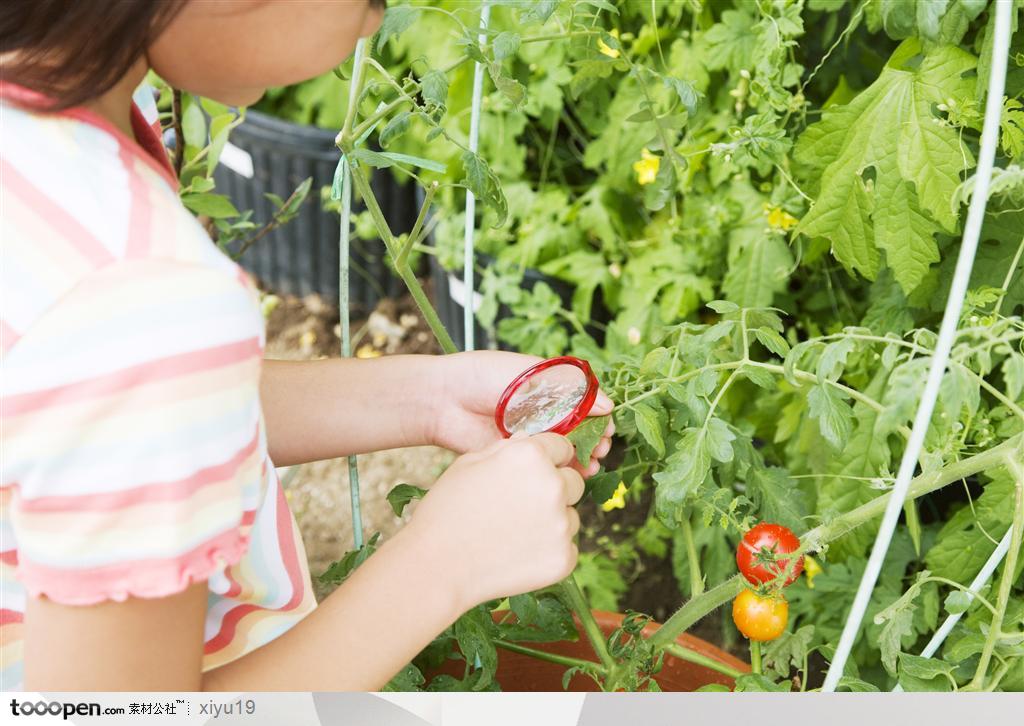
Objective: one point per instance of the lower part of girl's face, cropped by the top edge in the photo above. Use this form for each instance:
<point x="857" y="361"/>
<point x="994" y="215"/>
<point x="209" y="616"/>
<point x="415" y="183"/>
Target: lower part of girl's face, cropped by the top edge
<point x="233" y="51"/>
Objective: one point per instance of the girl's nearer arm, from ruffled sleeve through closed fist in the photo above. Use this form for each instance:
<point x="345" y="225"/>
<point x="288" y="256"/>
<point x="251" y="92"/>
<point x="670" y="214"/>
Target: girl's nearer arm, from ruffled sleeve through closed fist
<point x="498" y="523"/>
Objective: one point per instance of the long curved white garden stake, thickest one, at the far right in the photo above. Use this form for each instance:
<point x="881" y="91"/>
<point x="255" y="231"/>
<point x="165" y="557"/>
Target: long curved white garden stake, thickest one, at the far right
<point x="948" y="333"/>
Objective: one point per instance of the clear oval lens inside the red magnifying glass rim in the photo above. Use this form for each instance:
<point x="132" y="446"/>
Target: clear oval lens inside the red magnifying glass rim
<point x="545" y="399"/>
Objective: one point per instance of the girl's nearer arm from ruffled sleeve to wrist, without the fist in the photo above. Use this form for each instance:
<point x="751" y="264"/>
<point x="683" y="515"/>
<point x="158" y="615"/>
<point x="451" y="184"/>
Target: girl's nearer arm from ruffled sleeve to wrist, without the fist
<point x="357" y="639"/>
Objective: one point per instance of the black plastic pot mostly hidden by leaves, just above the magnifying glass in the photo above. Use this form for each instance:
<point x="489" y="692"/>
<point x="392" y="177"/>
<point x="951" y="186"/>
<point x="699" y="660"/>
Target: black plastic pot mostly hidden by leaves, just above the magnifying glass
<point x="449" y="295"/>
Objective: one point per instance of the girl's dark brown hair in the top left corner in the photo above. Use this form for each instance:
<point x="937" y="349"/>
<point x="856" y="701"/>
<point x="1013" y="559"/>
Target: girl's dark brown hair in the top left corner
<point x="75" y="52"/>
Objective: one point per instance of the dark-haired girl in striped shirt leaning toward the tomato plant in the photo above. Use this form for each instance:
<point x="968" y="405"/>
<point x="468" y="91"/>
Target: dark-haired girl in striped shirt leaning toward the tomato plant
<point x="147" y="544"/>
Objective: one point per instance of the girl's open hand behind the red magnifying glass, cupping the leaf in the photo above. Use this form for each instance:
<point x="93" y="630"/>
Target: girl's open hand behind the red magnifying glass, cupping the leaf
<point x="468" y="392"/>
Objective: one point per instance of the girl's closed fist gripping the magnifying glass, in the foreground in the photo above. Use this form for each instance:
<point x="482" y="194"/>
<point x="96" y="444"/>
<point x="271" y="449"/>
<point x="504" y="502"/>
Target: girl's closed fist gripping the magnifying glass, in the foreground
<point x="500" y="522"/>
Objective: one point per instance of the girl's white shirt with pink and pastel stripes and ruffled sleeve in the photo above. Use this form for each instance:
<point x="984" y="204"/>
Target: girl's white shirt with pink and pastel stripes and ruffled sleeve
<point x="135" y="458"/>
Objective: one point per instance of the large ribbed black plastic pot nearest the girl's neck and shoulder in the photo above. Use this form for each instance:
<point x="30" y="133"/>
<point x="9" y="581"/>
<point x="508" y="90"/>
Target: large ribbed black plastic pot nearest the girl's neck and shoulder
<point x="302" y="258"/>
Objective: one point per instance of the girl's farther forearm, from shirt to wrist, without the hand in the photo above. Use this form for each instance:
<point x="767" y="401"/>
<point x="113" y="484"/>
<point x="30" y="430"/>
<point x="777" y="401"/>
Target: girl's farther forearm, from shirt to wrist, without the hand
<point x="318" y="410"/>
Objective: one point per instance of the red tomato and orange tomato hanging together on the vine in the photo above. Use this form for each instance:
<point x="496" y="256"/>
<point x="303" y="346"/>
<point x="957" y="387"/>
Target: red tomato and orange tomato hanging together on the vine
<point x="761" y="615"/>
